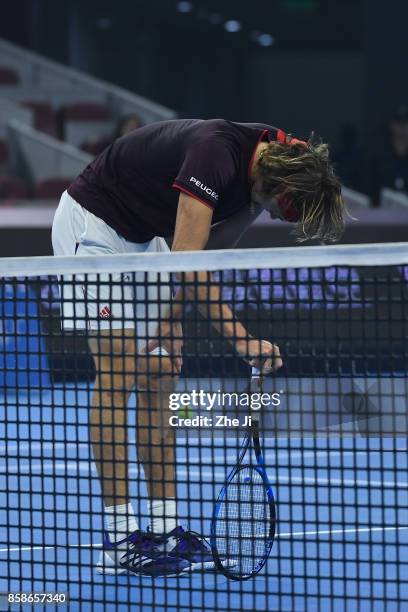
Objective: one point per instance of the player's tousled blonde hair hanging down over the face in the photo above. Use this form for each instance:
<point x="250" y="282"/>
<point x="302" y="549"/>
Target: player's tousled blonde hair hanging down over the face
<point x="306" y="176"/>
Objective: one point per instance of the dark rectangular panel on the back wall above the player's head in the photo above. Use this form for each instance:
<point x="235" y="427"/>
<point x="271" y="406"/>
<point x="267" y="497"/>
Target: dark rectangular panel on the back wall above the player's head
<point x="317" y="98"/>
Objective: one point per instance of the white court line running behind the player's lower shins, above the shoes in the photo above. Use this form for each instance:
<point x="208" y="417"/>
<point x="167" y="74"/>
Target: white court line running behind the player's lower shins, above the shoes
<point x="85" y="466"/>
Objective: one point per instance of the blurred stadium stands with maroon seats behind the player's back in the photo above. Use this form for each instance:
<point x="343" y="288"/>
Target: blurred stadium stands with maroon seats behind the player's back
<point x="43" y="102"/>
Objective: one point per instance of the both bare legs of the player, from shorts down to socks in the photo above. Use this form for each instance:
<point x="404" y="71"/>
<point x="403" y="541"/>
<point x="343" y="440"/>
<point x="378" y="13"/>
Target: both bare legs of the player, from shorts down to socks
<point x="116" y="367"/>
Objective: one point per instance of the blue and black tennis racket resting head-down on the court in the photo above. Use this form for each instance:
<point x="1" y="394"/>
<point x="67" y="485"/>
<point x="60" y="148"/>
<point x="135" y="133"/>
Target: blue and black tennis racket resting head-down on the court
<point x="244" y="517"/>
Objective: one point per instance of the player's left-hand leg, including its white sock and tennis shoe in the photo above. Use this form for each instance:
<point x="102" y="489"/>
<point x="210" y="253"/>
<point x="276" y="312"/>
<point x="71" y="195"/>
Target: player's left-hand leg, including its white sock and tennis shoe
<point x="126" y="548"/>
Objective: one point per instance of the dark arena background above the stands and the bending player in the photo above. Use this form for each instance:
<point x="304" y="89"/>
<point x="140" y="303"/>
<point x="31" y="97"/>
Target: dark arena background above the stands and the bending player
<point x="331" y="62"/>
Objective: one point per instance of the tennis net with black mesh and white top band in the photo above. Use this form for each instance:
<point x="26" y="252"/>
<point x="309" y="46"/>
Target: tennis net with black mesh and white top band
<point x="91" y="420"/>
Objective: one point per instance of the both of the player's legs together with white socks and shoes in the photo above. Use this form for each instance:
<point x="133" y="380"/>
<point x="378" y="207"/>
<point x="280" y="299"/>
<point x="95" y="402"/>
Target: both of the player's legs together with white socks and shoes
<point x="118" y="370"/>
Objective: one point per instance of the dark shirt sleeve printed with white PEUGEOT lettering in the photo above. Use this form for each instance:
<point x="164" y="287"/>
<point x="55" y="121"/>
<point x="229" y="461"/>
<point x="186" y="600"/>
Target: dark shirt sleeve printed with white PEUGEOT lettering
<point x="207" y="172"/>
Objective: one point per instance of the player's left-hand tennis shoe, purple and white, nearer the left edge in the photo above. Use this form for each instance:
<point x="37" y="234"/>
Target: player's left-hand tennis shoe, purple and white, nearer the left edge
<point x="139" y="554"/>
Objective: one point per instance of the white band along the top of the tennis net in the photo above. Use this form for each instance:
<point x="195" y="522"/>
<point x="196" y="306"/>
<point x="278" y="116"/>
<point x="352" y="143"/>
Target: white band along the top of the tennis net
<point x="380" y="254"/>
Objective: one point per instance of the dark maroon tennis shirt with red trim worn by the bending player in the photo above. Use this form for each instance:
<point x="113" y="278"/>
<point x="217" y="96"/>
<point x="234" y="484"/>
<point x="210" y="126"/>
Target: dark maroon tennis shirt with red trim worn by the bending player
<point x="134" y="185"/>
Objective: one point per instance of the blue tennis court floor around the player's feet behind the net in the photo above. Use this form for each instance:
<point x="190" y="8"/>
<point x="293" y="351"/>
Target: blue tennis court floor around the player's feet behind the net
<point x="342" y="519"/>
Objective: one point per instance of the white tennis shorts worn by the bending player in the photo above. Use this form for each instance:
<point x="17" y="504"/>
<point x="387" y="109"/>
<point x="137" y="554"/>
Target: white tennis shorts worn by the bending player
<point x="106" y="301"/>
